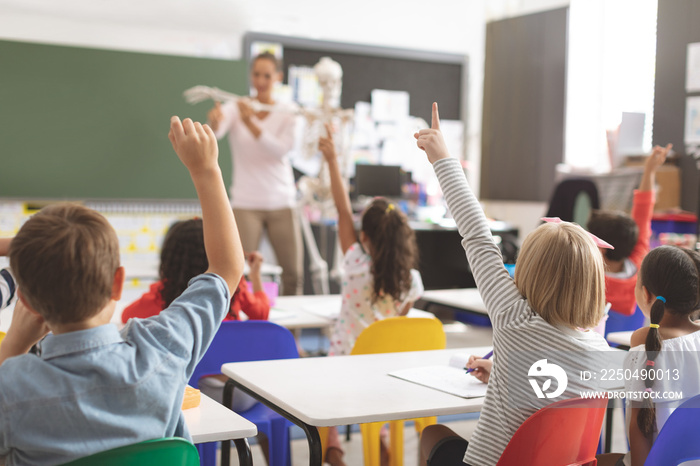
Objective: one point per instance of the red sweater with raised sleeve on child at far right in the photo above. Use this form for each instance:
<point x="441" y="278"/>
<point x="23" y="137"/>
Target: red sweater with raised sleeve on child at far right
<point x="620" y="291"/>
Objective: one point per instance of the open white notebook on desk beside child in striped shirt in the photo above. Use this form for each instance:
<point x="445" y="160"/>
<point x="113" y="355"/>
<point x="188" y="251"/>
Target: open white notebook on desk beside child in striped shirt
<point x="451" y="379"/>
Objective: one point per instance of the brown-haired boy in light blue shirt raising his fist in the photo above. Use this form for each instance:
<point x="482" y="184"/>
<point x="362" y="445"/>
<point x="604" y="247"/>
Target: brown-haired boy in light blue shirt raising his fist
<point x="92" y="388"/>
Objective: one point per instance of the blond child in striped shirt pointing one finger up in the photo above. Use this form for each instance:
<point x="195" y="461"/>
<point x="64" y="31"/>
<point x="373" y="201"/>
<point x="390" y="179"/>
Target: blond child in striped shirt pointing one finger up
<point x="559" y="288"/>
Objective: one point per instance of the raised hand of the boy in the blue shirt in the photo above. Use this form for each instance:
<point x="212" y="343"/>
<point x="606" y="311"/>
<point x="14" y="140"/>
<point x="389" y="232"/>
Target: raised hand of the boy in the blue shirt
<point x="195" y="145"/>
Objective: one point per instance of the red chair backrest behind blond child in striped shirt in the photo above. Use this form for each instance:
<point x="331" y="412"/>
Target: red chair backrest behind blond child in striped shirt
<point x="565" y="433"/>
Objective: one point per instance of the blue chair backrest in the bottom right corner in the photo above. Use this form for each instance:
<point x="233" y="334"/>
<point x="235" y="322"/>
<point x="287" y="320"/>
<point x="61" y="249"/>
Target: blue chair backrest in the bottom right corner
<point x="677" y="442"/>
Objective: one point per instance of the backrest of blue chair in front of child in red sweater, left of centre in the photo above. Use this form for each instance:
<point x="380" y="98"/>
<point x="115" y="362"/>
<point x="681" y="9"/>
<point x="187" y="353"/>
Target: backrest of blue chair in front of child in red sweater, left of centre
<point x="251" y="340"/>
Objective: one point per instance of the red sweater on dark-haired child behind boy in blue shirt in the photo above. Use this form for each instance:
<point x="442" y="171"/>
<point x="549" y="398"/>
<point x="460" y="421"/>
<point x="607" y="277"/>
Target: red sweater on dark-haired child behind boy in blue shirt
<point x="255" y="305"/>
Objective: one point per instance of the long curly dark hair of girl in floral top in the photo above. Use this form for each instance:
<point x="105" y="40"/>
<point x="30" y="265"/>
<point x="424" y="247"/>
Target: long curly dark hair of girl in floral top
<point x="393" y="249"/>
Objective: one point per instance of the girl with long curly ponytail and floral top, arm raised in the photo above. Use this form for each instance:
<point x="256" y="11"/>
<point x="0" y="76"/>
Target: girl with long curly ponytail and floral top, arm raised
<point x="379" y="280"/>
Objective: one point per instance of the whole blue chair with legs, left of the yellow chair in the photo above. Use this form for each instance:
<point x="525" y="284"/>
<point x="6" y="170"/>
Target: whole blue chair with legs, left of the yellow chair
<point x="250" y="341"/>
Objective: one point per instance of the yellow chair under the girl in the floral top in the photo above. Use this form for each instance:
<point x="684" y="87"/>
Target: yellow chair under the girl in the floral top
<point x="395" y="335"/>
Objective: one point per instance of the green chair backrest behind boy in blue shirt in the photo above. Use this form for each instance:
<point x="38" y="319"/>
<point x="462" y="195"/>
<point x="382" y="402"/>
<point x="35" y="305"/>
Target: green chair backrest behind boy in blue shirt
<point x="170" y="451"/>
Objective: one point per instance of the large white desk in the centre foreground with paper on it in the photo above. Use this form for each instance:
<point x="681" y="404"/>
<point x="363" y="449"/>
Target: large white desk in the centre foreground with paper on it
<point x="318" y="392"/>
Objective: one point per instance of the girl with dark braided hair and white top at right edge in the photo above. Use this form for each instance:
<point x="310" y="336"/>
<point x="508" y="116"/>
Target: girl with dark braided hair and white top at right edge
<point x="667" y="292"/>
